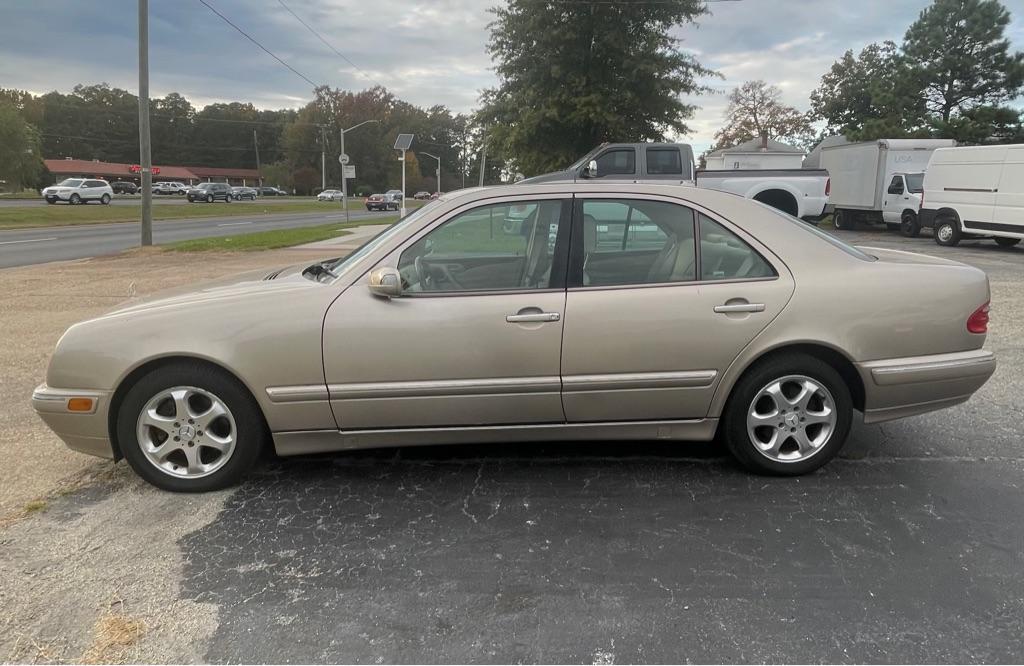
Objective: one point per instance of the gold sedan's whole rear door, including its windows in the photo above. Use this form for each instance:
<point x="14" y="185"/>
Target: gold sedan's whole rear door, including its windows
<point x="653" y="322"/>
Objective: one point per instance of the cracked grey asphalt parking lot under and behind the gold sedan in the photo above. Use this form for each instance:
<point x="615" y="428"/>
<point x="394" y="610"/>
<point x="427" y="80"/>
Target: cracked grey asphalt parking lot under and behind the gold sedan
<point x="910" y="548"/>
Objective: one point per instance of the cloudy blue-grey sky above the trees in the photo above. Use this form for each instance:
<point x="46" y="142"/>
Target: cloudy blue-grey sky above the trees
<point x="426" y="53"/>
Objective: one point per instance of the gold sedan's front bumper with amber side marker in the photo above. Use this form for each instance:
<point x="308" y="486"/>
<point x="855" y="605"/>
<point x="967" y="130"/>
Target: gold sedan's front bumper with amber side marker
<point x="83" y="432"/>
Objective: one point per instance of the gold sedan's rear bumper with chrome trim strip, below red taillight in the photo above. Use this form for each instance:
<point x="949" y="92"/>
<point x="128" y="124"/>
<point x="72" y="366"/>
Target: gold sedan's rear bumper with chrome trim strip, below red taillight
<point x="899" y="388"/>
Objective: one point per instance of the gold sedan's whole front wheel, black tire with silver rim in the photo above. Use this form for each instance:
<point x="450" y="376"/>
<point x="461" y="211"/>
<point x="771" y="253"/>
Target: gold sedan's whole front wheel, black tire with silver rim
<point x="200" y="385"/>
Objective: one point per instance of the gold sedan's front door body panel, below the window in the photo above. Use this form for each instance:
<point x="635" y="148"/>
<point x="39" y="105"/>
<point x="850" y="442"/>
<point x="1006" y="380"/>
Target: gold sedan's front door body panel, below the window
<point x="443" y="361"/>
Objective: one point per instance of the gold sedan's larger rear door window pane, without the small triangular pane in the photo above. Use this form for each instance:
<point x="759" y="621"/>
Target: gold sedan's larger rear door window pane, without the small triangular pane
<point x="635" y="242"/>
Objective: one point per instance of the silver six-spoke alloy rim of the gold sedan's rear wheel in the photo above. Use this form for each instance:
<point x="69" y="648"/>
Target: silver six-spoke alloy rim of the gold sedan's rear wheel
<point x="791" y="419"/>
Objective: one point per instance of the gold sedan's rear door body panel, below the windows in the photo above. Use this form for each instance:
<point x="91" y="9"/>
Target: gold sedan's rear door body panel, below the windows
<point x="659" y="352"/>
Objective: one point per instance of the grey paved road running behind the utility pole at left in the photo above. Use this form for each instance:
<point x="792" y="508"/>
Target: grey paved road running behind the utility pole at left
<point x="24" y="247"/>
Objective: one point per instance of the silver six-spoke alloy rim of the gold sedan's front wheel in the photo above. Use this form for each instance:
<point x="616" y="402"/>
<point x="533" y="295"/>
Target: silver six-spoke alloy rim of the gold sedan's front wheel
<point x="187" y="433"/>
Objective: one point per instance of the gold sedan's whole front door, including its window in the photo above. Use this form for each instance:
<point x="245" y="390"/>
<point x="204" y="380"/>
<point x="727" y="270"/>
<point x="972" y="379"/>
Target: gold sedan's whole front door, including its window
<point x="477" y="338"/>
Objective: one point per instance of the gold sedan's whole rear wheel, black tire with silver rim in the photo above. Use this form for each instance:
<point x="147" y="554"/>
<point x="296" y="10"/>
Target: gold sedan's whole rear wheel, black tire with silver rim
<point x="823" y="440"/>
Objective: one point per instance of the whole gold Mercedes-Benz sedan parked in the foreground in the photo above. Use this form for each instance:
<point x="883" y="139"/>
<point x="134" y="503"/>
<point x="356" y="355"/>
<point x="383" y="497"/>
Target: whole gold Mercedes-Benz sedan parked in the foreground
<point x="548" y="312"/>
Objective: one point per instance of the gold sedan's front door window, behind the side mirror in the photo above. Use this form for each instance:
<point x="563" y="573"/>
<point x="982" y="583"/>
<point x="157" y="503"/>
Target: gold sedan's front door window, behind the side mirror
<point x="498" y="247"/>
